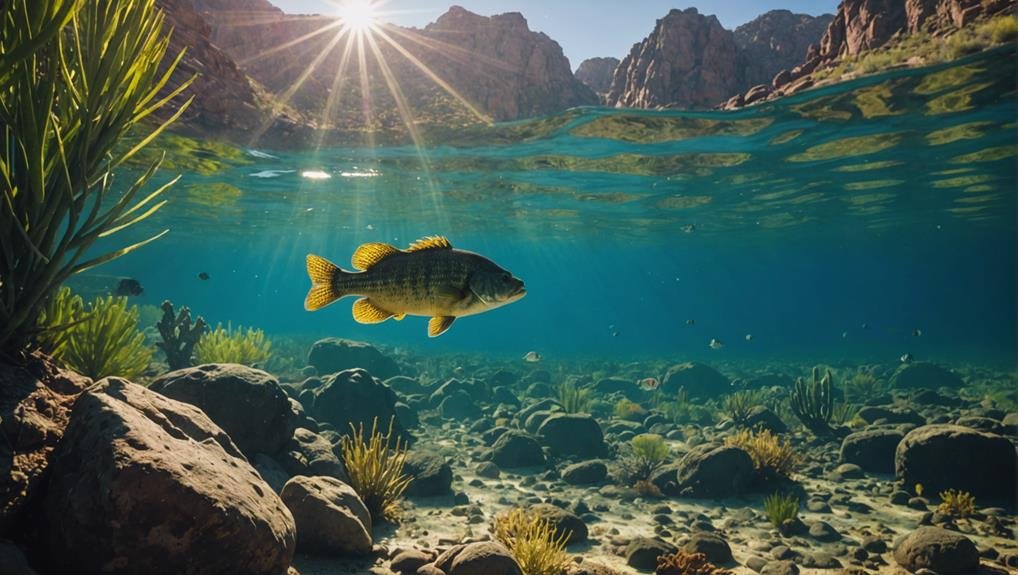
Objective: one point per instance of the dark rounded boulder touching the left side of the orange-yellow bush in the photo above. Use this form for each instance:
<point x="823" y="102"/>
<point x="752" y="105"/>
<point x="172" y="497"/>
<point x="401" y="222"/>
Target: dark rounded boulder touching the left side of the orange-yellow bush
<point x="717" y="473"/>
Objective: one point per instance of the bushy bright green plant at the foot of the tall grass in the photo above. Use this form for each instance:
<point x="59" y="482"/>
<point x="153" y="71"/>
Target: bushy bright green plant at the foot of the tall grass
<point x="103" y="340"/>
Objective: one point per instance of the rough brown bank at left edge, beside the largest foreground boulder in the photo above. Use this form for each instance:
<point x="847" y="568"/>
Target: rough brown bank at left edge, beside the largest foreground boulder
<point x="36" y="399"/>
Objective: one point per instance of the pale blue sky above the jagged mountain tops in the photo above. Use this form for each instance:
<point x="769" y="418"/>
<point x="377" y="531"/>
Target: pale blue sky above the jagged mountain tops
<point x="584" y="28"/>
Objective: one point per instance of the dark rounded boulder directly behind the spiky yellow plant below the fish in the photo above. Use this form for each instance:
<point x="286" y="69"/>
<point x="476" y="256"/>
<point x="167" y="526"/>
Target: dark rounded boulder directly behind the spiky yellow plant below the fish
<point x="355" y="397"/>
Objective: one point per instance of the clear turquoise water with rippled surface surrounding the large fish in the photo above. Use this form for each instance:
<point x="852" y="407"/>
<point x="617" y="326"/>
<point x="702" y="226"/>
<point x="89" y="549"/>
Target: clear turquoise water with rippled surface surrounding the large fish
<point x="830" y="225"/>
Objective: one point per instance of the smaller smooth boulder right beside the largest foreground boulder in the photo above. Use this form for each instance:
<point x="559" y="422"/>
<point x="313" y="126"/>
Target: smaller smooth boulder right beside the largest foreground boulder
<point x="331" y="519"/>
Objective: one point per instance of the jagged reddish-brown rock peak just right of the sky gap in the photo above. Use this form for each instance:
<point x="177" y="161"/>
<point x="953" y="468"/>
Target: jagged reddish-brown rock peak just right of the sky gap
<point x="689" y="62"/>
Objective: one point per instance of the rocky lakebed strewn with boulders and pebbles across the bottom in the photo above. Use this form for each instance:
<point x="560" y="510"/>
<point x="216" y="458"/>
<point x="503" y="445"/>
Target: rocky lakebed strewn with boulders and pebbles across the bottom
<point x="227" y="469"/>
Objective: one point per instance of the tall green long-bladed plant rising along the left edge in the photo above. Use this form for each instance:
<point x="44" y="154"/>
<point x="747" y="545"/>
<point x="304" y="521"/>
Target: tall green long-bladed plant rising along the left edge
<point x="76" y="77"/>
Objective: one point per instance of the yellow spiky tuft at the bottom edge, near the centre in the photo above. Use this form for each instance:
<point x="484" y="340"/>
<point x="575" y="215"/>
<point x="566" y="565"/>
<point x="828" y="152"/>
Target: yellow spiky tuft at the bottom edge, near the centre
<point x="533" y="542"/>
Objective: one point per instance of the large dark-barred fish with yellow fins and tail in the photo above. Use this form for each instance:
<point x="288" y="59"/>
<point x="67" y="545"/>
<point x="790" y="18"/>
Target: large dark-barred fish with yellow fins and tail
<point x="430" y="278"/>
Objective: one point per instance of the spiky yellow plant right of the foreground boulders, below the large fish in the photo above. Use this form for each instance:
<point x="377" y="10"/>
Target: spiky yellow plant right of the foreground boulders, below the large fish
<point x="376" y="469"/>
